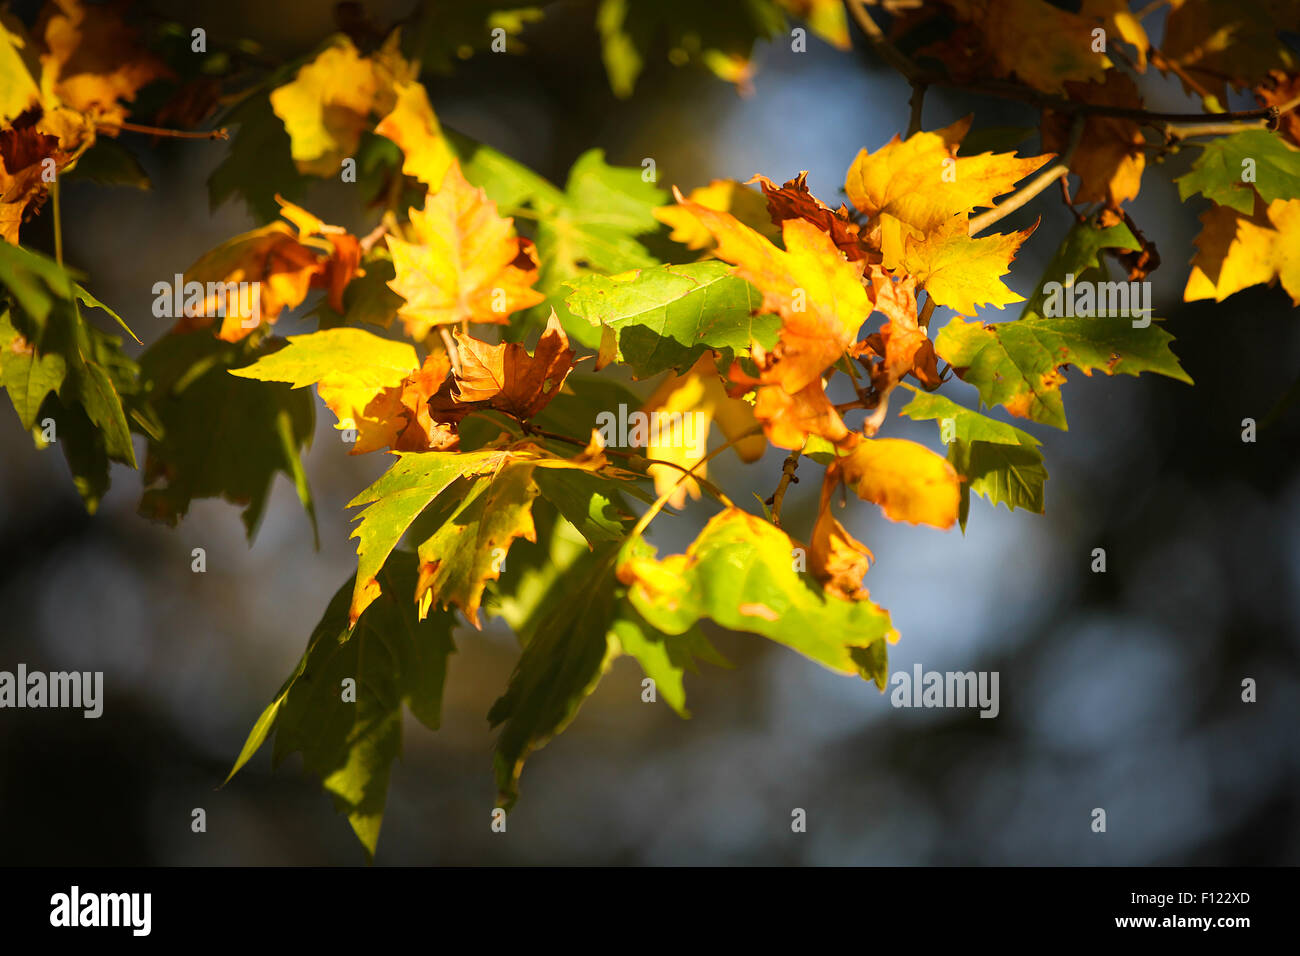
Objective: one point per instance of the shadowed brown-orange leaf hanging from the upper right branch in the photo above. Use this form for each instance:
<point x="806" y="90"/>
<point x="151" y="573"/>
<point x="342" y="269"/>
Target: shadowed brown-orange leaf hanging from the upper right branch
<point x="1110" y="159"/>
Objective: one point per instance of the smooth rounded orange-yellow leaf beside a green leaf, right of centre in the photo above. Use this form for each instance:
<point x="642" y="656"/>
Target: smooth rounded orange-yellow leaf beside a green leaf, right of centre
<point x="909" y="482"/>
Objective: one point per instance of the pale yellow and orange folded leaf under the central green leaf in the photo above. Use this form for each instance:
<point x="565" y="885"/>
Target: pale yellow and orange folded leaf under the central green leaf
<point x="687" y="406"/>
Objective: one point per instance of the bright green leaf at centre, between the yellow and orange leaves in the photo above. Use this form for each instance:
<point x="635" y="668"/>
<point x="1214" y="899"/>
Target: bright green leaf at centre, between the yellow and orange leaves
<point x="670" y="315"/>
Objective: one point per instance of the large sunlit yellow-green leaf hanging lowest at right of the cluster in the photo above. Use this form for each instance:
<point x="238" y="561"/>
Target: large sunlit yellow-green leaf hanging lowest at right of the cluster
<point x="740" y="574"/>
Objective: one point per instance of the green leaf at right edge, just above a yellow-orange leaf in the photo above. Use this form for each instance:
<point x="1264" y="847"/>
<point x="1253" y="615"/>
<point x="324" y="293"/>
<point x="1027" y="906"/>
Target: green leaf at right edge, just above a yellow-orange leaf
<point x="1219" y="172"/>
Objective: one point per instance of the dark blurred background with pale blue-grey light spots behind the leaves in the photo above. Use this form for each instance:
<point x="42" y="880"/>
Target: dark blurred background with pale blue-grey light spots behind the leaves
<point x="1119" y="691"/>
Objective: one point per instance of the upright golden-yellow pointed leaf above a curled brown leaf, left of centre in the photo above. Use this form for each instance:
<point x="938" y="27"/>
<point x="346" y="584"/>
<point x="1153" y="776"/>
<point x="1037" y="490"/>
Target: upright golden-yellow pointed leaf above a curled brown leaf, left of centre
<point x="466" y="263"/>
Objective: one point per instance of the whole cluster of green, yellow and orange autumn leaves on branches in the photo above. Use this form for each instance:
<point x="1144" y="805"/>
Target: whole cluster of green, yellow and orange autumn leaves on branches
<point x="775" y="301"/>
